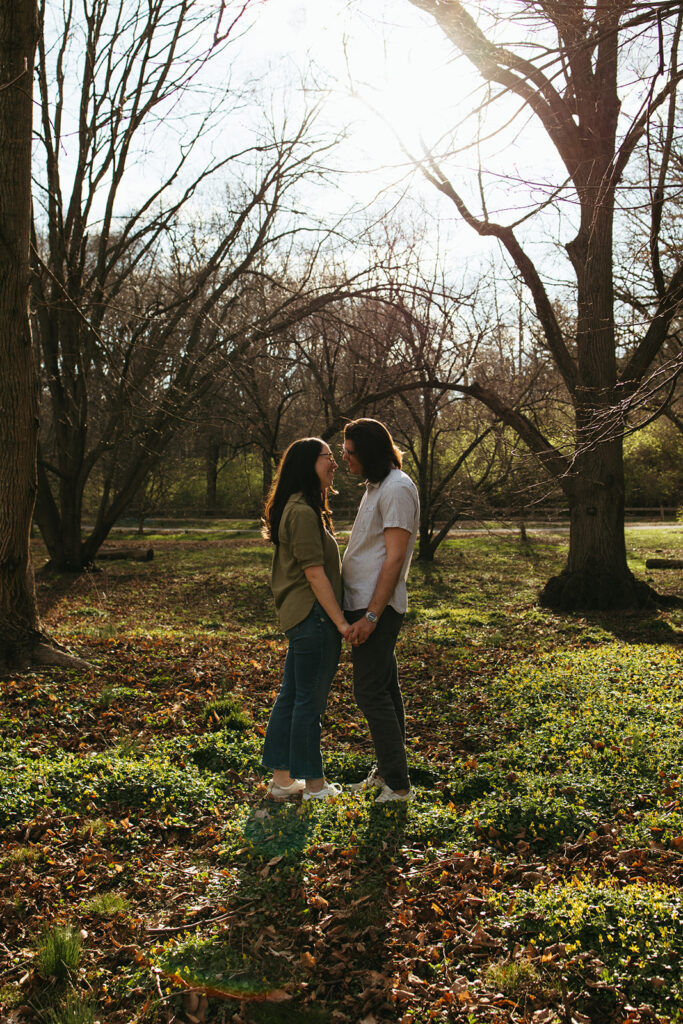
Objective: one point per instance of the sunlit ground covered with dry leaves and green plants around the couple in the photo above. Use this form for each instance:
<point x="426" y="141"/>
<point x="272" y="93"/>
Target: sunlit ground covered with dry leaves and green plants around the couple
<point x="146" y="878"/>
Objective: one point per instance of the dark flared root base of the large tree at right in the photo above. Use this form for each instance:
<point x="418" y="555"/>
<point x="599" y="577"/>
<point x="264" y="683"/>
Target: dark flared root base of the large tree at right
<point x="603" y="592"/>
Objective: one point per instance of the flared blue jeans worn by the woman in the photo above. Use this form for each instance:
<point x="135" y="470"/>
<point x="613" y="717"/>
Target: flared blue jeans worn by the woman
<point x="293" y="737"/>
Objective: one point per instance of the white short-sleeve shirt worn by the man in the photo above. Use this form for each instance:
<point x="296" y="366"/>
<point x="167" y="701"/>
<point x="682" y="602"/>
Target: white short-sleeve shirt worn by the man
<point x="393" y="502"/>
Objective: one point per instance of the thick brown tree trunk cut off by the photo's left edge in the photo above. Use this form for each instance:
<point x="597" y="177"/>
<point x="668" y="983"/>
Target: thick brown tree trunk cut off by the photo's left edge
<point x="20" y="628"/>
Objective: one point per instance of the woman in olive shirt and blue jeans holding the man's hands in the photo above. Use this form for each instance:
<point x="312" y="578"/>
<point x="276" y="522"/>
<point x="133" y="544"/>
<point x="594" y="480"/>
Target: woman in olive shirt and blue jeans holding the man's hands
<point x="307" y="586"/>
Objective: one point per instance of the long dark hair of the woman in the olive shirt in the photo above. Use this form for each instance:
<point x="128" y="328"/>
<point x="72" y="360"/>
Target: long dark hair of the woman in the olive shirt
<point x="296" y="474"/>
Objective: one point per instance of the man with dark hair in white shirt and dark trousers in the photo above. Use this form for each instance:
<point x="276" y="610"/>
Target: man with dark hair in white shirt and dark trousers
<point x="374" y="572"/>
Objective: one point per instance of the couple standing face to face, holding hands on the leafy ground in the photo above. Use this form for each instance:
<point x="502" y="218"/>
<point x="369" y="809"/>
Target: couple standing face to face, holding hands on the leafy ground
<point x="307" y="584"/>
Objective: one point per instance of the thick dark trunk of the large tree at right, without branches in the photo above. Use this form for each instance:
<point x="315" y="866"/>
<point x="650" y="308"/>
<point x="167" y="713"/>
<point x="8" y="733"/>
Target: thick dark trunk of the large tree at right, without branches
<point x="597" y="576"/>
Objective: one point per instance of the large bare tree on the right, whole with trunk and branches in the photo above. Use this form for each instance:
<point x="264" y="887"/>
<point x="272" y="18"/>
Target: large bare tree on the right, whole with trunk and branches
<point x="567" y="75"/>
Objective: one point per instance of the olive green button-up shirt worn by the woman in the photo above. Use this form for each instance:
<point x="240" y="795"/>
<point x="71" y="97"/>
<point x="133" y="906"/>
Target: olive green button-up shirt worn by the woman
<point x="304" y="544"/>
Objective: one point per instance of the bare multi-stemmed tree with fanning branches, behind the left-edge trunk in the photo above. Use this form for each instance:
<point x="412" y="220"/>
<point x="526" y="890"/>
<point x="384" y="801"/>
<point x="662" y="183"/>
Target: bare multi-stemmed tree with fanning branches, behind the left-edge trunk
<point x="141" y="300"/>
